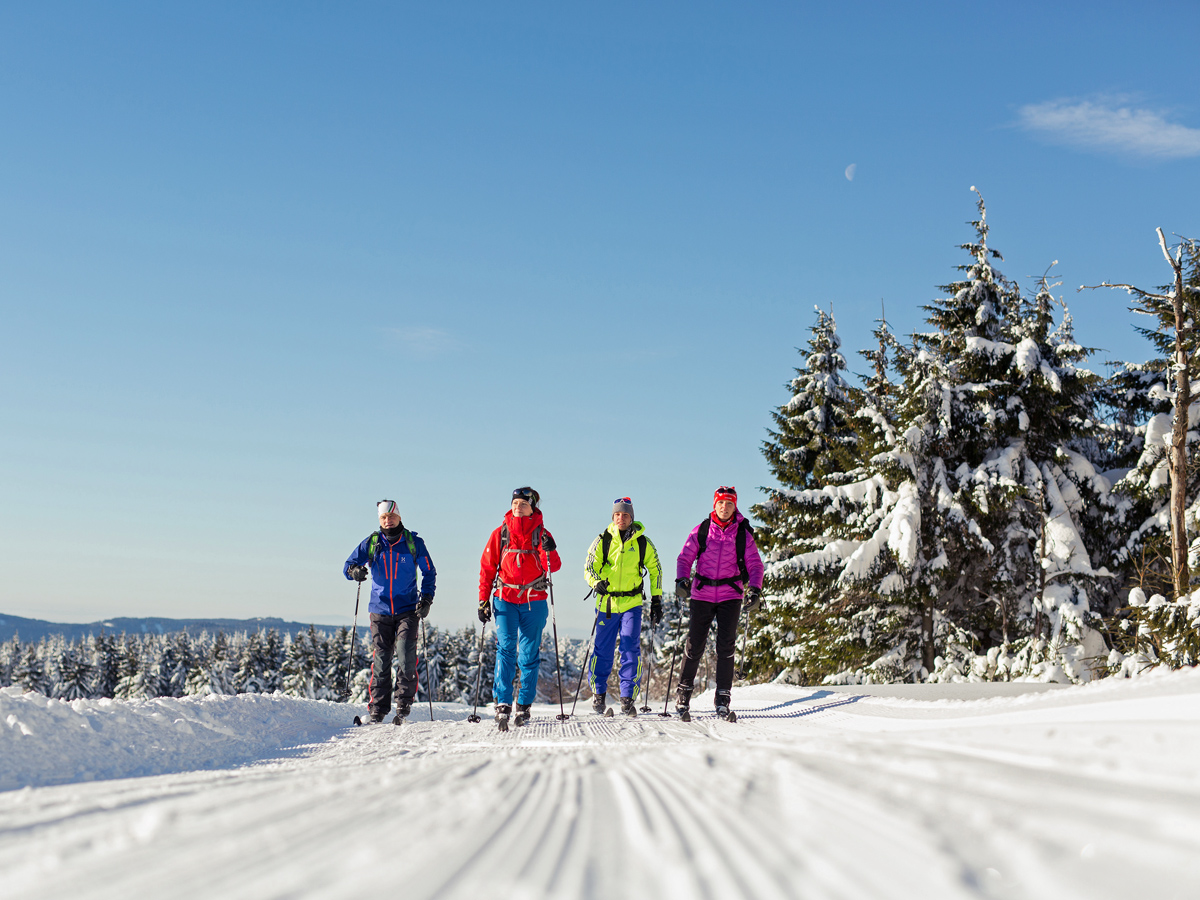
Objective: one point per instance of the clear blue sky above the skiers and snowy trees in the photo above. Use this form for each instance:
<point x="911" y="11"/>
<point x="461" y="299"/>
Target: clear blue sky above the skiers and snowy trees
<point x="265" y="265"/>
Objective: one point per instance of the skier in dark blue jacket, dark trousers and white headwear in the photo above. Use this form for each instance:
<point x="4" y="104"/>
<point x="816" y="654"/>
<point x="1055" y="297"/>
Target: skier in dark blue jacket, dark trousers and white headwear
<point x="394" y="555"/>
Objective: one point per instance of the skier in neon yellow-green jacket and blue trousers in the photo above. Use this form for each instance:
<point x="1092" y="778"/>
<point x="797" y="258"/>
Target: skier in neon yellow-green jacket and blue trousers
<point x="617" y="563"/>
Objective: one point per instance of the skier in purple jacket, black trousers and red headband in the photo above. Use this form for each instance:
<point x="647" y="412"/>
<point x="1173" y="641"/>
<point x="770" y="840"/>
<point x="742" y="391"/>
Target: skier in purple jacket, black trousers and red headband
<point x="728" y="569"/>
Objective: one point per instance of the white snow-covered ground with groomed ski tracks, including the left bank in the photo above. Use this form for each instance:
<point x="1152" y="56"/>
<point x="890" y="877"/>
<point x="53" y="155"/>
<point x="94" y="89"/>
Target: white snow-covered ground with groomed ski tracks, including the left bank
<point x="959" y="791"/>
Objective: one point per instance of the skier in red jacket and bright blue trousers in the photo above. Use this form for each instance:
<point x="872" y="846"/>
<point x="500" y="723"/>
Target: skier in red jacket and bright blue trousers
<point x="515" y="563"/>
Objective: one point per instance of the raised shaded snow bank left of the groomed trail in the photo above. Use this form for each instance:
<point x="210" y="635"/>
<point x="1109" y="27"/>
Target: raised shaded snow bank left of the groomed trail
<point x="52" y="742"/>
